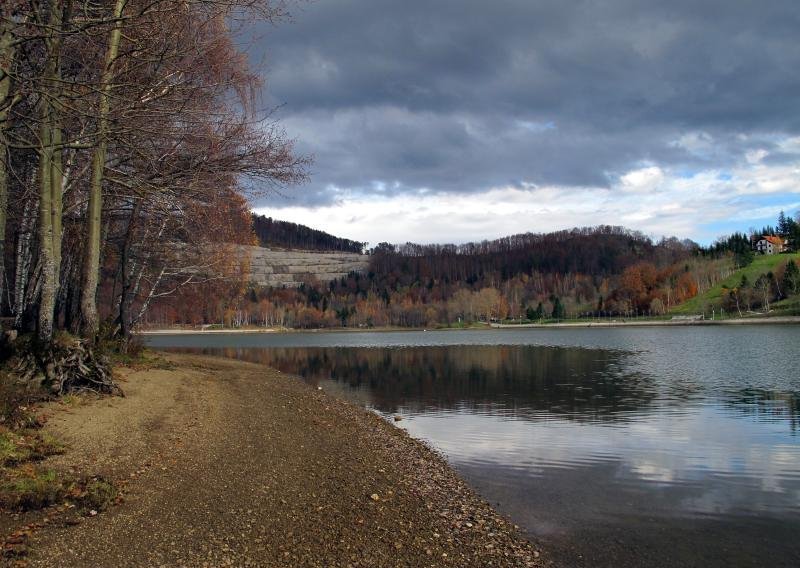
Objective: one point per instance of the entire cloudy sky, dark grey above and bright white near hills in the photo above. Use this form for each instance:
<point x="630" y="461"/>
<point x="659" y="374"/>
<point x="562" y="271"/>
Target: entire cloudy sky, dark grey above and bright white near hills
<point x="457" y="120"/>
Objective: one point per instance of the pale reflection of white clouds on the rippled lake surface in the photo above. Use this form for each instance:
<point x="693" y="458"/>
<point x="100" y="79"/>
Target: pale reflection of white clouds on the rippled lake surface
<point x="709" y="462"/>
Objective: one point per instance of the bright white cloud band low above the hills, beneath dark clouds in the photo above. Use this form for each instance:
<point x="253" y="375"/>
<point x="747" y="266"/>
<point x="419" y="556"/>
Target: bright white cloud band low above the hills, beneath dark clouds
<point x="651" y="199"/>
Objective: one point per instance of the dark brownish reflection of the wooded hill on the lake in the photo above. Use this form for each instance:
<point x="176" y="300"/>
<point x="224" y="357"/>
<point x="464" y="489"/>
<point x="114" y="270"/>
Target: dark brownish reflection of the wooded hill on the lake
<point x="584" y="384"/>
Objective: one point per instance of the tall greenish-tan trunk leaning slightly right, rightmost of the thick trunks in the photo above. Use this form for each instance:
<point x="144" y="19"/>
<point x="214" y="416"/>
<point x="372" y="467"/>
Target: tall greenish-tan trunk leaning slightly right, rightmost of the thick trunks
<point x="91" y="264"/>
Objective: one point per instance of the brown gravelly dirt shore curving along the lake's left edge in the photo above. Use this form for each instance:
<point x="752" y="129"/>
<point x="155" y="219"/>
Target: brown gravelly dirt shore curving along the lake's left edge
<point x="233" y="464"/>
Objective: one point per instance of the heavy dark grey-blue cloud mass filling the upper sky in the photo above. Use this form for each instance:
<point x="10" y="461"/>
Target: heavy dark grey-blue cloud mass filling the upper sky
<point x="463" y="95"/>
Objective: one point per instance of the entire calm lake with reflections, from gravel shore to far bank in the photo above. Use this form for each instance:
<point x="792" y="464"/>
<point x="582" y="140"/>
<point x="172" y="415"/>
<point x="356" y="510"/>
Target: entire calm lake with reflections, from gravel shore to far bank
<point x="671" y="446"/>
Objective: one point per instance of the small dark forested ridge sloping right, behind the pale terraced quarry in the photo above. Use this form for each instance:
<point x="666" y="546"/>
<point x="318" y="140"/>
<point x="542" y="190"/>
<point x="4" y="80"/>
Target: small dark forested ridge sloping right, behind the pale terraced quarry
<point x="283" y="234"/>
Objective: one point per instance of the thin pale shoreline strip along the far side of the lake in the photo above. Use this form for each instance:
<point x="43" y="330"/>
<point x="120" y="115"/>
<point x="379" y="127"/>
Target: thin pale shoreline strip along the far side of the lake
<point x="621" y="322"/>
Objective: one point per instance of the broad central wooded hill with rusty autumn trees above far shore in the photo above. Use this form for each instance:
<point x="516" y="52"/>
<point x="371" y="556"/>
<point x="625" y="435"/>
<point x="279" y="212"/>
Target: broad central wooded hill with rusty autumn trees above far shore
<point x="589" y="272"/>
